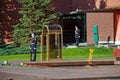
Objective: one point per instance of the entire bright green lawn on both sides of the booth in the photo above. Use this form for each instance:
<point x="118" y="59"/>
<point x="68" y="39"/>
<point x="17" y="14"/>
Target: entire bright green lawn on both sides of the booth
<point x="68" y="53"/>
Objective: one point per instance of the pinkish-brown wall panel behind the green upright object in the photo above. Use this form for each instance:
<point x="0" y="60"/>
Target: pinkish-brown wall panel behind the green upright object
<point x="105" y="24"/>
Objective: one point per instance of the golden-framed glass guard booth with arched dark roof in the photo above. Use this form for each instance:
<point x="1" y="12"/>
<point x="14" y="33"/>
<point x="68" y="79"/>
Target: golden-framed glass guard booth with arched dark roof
<point x="51" y="42"/>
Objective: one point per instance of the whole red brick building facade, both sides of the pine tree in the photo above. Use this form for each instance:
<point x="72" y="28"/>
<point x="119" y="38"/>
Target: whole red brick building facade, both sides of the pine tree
<point x="106" y="22"/>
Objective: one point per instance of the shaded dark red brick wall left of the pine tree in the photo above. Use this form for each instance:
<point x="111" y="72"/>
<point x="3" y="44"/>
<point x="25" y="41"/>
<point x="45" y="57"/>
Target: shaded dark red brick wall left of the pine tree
<point x="8" y="17"/>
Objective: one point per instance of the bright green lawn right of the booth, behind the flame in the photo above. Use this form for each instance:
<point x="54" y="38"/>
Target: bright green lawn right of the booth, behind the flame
<point x="83" y="53"/>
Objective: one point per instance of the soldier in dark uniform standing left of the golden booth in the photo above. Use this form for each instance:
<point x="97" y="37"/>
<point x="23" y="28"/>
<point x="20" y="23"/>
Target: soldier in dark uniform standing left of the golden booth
<point x="33" y="46"/>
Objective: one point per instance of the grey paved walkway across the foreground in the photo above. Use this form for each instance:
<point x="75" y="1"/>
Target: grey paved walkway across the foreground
<point x="111" y="72"/>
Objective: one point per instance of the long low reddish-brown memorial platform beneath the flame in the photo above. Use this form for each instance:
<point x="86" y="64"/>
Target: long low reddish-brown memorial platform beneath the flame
<point x="70" y="63"/>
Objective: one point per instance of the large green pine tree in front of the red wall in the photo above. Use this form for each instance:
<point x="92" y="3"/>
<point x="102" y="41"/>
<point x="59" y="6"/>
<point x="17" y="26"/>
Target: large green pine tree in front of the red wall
<point x="35" y="14"/>
